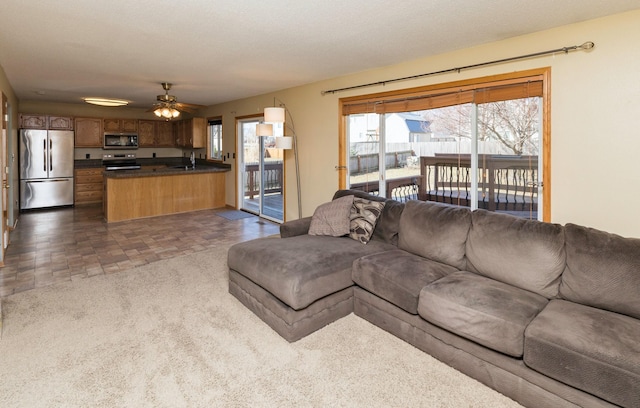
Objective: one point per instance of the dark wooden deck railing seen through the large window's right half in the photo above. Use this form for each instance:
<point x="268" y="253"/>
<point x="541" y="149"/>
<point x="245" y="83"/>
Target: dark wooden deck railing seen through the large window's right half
<point x="505" y="183"/>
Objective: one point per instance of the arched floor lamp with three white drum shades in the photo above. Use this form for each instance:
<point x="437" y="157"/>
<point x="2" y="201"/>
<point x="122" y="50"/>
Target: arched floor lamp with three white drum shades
<point x="278" y="114"/>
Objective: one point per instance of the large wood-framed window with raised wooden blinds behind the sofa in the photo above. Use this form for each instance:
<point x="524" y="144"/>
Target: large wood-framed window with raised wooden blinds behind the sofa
<point x="476" y="143"/>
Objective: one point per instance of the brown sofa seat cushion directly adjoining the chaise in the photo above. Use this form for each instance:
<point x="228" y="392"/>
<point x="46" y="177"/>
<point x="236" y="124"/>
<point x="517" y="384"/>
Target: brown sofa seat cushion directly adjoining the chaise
<point x="398" y="276"/>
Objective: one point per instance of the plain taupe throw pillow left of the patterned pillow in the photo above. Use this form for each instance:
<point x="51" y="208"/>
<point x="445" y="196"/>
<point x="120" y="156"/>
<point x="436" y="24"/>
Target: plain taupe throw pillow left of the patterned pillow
<point x="332" y="218"/>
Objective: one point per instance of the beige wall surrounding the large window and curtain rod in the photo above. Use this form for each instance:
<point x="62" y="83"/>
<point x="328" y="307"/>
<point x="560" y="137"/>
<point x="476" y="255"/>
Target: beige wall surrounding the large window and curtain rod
<point x="595" y="138"/>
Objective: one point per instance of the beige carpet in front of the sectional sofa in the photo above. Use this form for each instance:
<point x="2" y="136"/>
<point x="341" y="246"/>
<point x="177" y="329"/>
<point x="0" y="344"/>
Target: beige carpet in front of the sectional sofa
<point x="168" y="334"/>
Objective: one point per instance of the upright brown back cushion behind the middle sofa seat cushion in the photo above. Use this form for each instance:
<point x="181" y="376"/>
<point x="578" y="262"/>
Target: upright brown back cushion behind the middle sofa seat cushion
<point x="528" y="254"/>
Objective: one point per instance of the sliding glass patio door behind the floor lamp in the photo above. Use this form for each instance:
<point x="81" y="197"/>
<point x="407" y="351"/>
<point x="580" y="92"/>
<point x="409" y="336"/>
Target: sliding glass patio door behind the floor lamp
<point x="260" y="173"/>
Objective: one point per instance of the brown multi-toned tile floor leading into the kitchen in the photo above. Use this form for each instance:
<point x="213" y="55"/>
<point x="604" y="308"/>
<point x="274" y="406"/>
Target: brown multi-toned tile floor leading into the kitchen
<point x="52" y="246"/>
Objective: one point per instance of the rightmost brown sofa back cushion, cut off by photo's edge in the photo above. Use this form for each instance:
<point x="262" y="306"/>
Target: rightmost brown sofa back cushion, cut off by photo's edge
<point x="609" y="282"/>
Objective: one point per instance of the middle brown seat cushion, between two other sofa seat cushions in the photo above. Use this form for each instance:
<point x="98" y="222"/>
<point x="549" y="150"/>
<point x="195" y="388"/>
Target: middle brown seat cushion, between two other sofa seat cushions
<point x="480" y="309"/>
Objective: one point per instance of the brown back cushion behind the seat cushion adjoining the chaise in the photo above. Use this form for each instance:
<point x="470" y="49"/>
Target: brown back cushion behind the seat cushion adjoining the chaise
<point x="435" y="231"/>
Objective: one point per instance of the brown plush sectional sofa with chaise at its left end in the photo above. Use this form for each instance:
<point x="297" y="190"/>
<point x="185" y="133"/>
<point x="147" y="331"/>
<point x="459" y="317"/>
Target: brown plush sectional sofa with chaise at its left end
<point x="546" y="314"/>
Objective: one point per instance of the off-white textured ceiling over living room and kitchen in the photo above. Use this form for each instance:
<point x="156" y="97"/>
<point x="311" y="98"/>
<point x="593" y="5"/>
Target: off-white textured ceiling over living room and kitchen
<point x="220" y="50"/>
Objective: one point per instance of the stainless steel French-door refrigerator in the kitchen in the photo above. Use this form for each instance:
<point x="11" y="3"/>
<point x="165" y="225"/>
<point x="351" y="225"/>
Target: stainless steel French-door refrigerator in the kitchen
<point x="46" y="168"/>
